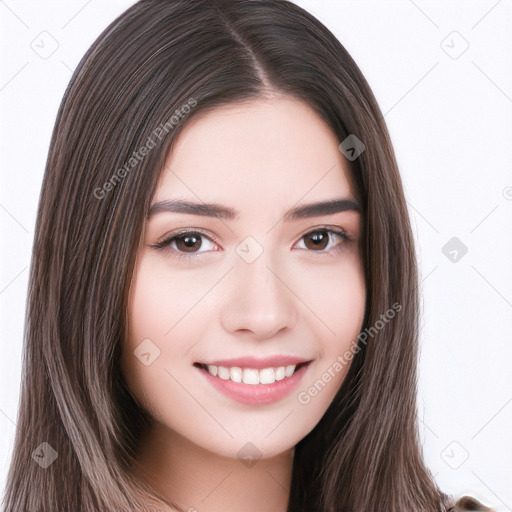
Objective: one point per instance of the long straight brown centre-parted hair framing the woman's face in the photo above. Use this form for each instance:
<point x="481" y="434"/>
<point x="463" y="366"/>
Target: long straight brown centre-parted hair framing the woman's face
<point x="156" y="67"/>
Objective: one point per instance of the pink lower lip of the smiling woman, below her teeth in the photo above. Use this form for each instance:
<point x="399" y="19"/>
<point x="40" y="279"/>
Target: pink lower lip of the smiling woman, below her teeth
<point x="256" y="394"/>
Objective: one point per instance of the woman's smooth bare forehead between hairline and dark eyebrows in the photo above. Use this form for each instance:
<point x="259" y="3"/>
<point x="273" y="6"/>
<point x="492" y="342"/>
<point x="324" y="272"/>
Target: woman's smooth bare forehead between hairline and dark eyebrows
<point x="256" y="154"/>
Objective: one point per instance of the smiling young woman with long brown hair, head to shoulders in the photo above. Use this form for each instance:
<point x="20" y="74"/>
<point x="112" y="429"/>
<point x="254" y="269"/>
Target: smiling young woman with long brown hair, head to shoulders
<point x="223" y="297"/>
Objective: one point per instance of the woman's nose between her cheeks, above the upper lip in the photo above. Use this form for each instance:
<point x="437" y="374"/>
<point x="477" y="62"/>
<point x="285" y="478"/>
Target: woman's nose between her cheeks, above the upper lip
<point x="258" y="300"/>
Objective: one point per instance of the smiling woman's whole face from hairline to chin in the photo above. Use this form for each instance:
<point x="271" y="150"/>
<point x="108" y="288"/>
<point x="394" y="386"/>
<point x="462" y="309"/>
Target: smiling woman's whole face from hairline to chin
<point x="240" y="311"/>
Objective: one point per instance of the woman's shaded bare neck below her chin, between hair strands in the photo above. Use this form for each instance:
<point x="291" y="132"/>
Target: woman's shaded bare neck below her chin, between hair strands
<point x="197" y="479"/>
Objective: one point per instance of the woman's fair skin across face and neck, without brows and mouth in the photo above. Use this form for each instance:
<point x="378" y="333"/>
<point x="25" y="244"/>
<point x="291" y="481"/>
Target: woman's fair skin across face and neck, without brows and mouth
<point x="297" y="298"/>
